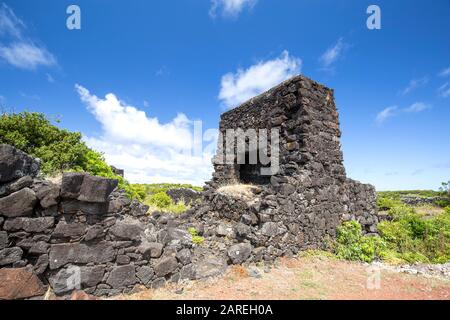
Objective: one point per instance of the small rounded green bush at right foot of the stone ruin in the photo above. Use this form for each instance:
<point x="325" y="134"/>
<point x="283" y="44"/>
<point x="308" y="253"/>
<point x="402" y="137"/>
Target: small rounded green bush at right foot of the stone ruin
<point x="352" y="245"/>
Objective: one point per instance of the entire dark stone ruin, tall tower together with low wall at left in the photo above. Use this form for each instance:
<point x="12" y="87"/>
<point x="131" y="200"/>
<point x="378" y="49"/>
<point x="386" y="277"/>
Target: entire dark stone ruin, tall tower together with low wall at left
<point x="84" y="228"/>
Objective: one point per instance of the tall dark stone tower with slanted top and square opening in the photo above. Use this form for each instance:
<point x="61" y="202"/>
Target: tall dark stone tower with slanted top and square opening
<point x="302" y="205"/>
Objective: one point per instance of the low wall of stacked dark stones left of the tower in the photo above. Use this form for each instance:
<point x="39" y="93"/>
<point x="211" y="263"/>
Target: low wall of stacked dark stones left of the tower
<point x="82" y="233"/>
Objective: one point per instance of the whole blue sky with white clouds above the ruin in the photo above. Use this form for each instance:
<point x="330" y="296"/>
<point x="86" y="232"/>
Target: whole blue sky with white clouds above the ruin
<point x="139" y="73"/>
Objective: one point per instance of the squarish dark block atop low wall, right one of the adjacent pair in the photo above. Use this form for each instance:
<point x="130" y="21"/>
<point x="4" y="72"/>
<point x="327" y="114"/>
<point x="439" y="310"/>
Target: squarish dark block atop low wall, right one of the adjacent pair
<point x="96" y="189"/>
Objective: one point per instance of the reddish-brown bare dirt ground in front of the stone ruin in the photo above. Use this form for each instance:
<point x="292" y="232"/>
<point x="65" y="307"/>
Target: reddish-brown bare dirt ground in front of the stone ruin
<point x="305" y="278"/>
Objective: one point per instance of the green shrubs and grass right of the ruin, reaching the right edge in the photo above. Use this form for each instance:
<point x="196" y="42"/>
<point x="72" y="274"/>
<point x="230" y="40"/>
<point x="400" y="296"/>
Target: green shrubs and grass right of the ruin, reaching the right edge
<point x="409" y="238"/>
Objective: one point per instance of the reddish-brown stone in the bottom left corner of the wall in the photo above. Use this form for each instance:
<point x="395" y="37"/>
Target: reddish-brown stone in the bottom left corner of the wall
<point x="19" y="284"/>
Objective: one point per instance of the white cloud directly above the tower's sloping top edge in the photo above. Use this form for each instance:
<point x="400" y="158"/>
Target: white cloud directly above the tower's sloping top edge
<point x="238" y="87"/>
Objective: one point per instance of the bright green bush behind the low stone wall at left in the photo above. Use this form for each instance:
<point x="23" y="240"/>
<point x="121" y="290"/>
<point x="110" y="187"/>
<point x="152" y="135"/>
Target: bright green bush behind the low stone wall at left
<point x="59" y="149"/>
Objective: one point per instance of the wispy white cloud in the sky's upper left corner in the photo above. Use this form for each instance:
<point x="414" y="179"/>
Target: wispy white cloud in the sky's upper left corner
<point x="15" y="48"/>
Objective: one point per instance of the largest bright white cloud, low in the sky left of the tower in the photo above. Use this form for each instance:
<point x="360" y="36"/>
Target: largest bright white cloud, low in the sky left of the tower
<point x="148" y="150"/>
